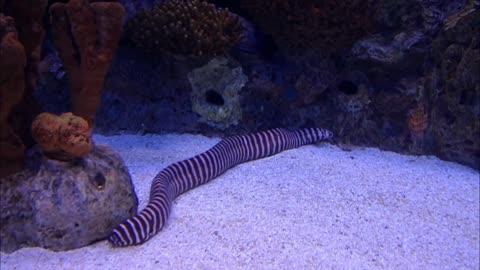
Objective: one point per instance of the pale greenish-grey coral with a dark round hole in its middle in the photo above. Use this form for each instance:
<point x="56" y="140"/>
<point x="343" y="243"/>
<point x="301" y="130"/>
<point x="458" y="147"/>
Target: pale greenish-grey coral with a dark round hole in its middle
<point x="215" y="92"/>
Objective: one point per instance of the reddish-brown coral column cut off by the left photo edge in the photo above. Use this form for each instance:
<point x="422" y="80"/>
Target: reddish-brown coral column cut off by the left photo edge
<point x="12" y="86"/>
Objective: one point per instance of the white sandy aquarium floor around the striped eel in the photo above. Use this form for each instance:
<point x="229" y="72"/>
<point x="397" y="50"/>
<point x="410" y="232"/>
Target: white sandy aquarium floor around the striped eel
<point x="315" y="207"/>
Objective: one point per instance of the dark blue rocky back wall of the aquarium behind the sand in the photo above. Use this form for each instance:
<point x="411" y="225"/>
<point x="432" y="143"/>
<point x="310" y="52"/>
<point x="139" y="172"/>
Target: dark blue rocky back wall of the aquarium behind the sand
<point x="398" y="75"/>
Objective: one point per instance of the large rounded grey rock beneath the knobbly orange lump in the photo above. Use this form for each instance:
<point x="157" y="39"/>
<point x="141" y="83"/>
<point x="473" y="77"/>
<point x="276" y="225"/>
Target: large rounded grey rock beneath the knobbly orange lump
<point x="65" y="205"/>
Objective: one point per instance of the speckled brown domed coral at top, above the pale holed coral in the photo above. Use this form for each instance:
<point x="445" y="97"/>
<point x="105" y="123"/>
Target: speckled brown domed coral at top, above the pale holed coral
<point x="185" y="28"/>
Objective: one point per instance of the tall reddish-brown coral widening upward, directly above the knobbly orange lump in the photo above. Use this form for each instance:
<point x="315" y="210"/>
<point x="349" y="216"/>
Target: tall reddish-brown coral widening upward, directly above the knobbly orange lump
<point x="86" y="36"/>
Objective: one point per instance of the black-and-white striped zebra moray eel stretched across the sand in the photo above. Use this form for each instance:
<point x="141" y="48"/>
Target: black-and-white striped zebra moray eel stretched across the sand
<point x="190" y="173"/>
